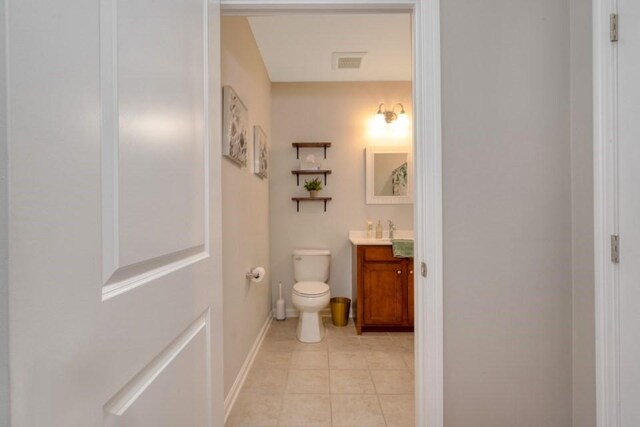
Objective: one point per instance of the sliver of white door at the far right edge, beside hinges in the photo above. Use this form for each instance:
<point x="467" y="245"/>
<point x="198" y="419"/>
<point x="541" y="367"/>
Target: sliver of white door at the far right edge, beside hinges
<point x="629" y="209"/>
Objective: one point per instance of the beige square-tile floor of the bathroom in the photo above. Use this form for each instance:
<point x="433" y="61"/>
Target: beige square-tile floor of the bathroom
<point x="344" y="381"/>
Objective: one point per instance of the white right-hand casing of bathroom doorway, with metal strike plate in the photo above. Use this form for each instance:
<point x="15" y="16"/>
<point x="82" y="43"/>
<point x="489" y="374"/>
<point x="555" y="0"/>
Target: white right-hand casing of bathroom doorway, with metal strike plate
<point x="429" y="322"/>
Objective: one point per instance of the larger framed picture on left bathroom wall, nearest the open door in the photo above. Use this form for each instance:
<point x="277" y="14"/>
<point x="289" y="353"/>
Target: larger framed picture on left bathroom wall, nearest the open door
<point x="235" y="127"/>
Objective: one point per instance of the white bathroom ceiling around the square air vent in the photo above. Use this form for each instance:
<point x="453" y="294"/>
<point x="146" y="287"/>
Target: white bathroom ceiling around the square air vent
<point x="299" y="48"/>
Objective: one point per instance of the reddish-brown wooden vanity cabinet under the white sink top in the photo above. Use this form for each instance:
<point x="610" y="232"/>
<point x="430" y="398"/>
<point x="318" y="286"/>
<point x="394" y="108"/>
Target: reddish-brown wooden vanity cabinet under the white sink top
<point x="383" y="289"/>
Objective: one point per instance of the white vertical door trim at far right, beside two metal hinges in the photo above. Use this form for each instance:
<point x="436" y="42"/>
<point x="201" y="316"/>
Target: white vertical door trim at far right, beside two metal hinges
<point x="605" y="163"/>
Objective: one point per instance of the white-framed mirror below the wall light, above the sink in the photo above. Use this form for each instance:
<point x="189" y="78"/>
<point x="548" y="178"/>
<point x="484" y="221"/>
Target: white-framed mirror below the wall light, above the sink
<point x="389" y="173"/>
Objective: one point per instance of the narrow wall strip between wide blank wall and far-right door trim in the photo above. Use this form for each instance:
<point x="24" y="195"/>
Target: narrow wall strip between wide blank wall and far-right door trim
<point x="584" y="382"/>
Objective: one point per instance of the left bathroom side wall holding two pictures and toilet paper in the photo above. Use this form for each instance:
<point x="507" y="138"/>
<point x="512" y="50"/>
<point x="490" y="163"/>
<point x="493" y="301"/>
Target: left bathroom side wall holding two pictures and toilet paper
<point x="245" y="203"/>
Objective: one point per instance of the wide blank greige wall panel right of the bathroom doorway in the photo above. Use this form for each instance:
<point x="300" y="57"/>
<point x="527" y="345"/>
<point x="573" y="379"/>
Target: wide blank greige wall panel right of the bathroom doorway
<point x="507" y="213"/>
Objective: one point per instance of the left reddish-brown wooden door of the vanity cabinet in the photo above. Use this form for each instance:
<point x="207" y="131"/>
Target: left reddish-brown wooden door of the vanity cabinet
<point x="384" y="293"/>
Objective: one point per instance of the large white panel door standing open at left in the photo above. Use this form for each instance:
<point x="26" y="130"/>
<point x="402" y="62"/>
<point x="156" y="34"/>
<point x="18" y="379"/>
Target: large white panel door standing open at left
<point x="114" y="248"/>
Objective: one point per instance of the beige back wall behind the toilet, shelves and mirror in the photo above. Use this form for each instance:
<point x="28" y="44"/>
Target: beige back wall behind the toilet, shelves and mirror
<point x="340" y="113"/>
